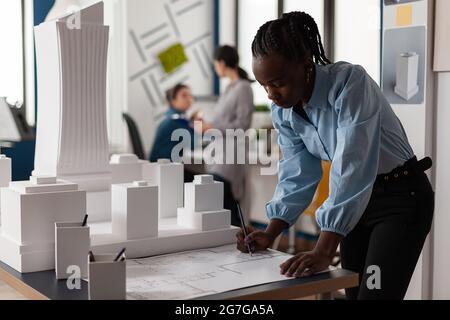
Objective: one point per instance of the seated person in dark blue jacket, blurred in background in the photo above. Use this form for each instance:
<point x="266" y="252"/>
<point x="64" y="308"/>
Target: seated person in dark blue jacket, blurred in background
<point x="180" y="100"/>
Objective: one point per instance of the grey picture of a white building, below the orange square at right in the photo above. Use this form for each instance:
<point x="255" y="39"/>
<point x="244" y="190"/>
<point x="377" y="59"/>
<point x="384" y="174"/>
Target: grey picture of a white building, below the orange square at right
<point x="404" y="59"/>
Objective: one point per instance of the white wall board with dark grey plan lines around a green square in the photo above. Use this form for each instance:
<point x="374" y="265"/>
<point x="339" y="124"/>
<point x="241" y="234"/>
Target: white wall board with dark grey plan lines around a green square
<point x="152" y="27"/>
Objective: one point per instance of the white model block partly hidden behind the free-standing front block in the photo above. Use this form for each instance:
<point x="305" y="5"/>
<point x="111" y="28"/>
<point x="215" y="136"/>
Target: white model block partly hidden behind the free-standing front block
<point x="169" y="177"/>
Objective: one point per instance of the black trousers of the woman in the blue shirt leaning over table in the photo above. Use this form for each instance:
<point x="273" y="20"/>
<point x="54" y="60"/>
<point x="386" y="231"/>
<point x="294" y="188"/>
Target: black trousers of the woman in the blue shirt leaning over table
<point x="390" y="235"/>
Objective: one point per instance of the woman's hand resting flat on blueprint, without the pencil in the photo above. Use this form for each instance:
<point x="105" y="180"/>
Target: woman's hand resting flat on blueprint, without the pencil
<point x="306" y="264"/>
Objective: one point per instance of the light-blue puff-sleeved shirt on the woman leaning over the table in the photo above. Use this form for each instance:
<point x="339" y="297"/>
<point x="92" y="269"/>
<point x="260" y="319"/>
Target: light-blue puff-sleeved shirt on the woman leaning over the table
<point x="352" y="125"/>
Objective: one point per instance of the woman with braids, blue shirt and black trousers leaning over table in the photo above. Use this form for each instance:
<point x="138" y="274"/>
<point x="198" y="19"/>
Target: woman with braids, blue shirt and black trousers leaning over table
<point x="380" y="206"/>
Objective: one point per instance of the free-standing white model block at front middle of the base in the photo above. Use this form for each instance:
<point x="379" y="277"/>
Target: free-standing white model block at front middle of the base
<point x="135" y="210"/>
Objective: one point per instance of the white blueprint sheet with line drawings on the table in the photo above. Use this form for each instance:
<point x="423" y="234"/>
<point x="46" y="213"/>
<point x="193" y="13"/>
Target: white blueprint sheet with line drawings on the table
<point x="200" y="273"/>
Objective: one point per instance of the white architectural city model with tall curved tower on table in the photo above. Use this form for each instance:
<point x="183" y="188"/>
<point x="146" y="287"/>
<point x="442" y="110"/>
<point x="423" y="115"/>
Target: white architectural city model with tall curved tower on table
<point x="73" y="177"/>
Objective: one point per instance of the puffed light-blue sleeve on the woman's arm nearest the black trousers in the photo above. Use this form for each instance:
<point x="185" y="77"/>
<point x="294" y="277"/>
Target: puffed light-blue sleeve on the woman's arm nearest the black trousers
<point x="355" y="162"/>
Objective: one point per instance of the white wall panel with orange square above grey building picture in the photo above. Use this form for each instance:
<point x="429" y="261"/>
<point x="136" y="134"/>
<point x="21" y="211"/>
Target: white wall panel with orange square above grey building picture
<point x="404" y="54"/>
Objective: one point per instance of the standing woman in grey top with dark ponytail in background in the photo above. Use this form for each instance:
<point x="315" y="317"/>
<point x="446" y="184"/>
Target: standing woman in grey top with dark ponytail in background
<point x="234" y="110"/>
